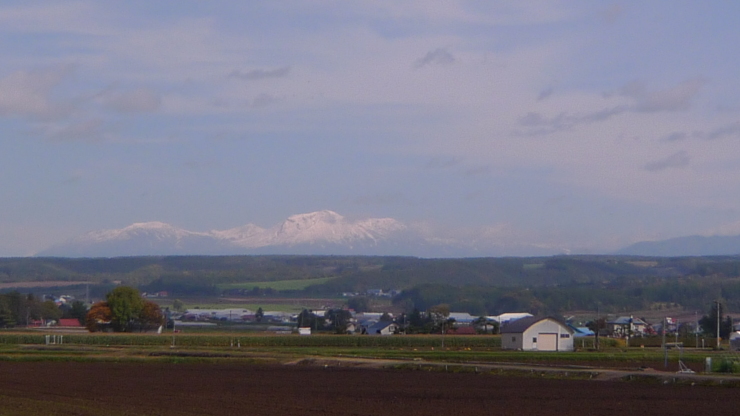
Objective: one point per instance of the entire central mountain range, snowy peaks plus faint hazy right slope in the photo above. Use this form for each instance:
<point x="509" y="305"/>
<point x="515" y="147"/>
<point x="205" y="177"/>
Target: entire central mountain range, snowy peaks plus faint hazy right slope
<point x="316" y="233"/>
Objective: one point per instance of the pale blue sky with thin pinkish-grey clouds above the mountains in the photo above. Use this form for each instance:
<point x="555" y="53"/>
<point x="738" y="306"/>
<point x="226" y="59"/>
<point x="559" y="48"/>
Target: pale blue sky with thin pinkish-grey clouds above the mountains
<point x="584" y="124"/>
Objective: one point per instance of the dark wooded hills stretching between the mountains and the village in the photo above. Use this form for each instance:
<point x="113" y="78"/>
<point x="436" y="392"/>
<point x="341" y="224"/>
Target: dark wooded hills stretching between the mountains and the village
<point x="476" y="285"/>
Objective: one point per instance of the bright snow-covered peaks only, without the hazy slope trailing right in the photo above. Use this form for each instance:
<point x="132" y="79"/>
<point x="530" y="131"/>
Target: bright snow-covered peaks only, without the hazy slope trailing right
<point x="323" y="232"/>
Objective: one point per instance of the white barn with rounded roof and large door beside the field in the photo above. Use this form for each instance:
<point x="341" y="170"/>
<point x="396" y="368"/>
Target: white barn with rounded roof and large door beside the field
<point x="537" y="334"/>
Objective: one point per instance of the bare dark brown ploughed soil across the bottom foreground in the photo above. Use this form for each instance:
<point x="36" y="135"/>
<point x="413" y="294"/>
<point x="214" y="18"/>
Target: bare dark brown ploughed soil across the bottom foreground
<point x="63" y="388"/>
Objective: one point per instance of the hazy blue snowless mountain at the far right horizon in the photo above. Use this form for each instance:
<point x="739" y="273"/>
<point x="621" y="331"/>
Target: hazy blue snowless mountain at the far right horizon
<point x="686" y="246"/>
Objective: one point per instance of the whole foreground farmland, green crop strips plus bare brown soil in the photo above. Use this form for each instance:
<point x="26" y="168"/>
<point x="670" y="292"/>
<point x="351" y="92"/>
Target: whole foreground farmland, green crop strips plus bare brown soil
<point x="227" y="373"/>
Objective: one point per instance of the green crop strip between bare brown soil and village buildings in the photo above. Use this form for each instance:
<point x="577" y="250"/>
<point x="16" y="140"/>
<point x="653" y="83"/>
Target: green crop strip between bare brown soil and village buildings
<point x="219" y="346"/>
